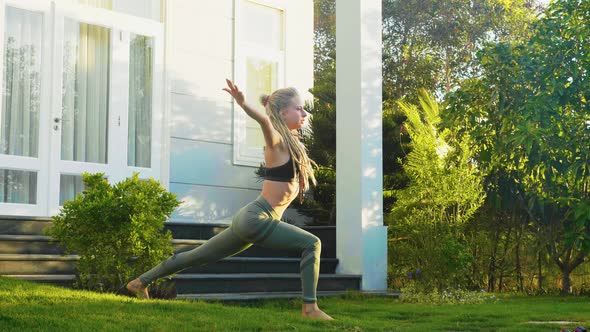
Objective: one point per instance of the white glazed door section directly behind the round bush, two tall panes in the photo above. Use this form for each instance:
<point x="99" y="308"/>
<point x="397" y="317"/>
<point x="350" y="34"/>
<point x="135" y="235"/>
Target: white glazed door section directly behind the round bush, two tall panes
<point x="107" y="105"/>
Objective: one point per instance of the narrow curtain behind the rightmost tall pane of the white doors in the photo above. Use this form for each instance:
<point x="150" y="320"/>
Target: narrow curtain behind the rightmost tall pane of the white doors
<point x="140" y="102"/>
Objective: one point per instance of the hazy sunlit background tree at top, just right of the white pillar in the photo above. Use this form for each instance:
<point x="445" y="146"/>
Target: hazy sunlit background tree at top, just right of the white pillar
<point x="432" y="44"/>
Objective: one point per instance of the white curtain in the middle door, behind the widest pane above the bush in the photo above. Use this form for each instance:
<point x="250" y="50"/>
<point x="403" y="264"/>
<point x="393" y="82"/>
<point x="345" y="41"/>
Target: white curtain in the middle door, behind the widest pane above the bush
<point x="85" y="98"/>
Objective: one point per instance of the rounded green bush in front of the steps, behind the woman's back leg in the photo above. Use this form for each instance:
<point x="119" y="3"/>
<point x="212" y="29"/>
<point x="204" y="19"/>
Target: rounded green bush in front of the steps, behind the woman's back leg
<point x="117" y="230"/>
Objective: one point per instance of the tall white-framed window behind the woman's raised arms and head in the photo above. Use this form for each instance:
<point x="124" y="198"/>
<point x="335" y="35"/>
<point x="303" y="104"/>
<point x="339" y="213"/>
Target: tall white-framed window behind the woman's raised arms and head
<point x="260" y="61"/>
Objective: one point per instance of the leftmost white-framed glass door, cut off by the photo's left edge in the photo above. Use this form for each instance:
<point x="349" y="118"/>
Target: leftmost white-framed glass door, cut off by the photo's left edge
<point x="25" y="27"/>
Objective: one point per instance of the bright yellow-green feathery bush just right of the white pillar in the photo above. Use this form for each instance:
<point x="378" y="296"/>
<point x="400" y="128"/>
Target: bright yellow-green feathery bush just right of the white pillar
<point x="444" y="191"/>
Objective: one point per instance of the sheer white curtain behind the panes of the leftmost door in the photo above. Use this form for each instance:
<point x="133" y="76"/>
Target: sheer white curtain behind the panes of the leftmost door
<point x="19" y="128"/>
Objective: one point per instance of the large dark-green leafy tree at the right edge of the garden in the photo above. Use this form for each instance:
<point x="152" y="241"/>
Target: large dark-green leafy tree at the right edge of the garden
<point x="530" y="118"/>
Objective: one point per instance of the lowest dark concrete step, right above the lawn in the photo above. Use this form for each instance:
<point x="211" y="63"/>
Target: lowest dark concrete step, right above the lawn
<point x="191" y="284"/>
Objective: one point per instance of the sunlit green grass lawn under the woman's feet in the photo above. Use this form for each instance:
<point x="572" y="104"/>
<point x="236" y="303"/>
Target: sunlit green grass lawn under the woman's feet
<point x="26" y="306"/>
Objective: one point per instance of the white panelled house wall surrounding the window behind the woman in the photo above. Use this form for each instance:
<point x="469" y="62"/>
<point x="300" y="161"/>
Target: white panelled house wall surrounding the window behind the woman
<point x="199" y="56"/>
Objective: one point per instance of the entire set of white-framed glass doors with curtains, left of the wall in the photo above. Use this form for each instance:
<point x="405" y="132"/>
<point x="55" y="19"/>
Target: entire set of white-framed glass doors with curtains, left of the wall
<point x="83" y="93"/>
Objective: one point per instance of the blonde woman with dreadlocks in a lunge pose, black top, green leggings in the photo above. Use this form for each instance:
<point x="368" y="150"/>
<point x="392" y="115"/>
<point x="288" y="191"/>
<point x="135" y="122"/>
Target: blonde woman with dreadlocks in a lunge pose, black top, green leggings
<point x="287" y="176"/>
